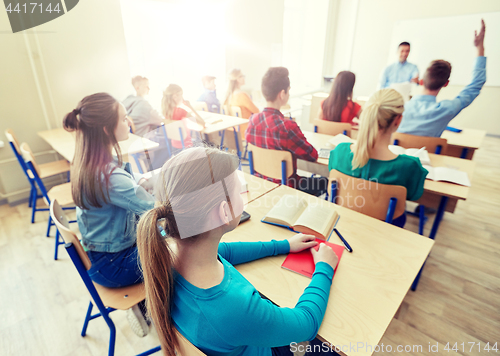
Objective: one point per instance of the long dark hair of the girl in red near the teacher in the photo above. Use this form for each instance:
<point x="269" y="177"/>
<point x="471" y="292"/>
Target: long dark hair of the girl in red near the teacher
<point x="340" y="94"/>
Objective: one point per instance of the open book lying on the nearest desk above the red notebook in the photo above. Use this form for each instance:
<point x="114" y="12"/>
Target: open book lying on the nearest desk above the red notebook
<point x="294" y="213"/>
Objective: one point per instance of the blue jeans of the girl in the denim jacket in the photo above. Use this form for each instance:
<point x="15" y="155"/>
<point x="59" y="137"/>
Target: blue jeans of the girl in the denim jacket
<point x="117" y="269"/>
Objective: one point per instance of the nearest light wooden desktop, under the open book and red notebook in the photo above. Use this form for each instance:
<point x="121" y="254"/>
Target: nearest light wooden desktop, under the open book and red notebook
<point x="369" y="285"/>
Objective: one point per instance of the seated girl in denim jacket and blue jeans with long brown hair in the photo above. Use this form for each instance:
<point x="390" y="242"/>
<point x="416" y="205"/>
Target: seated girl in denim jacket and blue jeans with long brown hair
<point x="107" y="197"/>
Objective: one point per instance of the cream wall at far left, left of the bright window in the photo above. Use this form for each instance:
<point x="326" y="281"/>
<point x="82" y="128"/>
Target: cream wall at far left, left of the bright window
<point x="47" y="70"/>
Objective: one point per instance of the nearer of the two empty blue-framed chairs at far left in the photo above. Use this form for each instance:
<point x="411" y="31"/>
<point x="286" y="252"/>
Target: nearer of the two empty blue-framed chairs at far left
<point x="61" y="192"/>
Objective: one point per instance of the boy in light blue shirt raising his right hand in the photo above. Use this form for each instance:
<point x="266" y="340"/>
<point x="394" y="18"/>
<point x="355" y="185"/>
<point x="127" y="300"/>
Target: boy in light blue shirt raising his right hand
<point x="423" y="116"/>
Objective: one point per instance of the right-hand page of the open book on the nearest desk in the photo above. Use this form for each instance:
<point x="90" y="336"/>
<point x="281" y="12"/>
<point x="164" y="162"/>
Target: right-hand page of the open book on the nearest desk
<point x="317" y="219"/>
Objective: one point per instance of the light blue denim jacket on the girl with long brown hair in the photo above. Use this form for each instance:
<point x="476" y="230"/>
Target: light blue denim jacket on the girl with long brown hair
<point x="112" y="228"/>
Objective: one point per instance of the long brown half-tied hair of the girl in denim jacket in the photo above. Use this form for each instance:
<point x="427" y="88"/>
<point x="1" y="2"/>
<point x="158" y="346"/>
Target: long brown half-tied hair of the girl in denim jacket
<point x="94" y="120"/>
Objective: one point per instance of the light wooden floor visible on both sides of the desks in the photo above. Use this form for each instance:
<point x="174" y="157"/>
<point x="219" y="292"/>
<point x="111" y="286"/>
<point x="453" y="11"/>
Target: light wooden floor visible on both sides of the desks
<point x="43" y="302"/>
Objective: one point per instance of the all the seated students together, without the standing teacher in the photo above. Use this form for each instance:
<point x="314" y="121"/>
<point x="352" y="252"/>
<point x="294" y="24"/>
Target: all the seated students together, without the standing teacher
<point x="171" y="239"/>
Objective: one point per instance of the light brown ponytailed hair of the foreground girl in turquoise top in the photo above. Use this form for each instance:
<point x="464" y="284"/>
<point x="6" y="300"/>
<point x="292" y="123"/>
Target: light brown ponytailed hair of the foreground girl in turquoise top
<point x="197" y="169"/>
